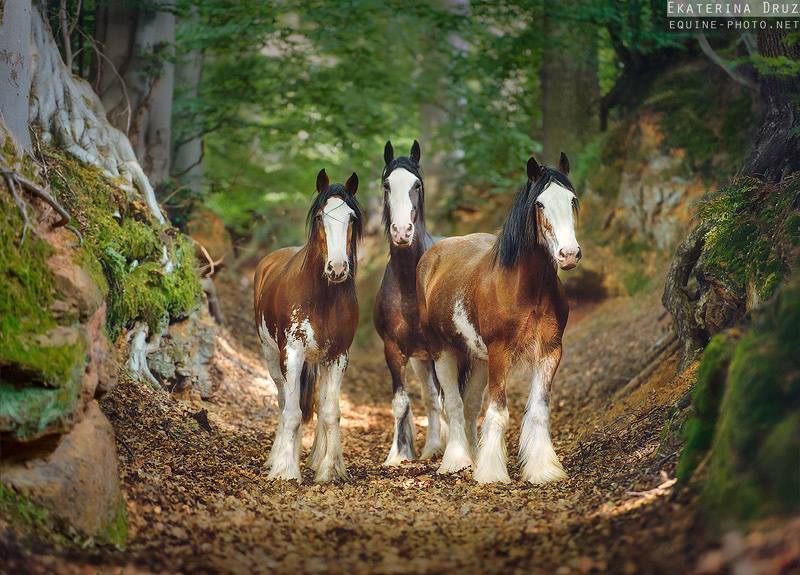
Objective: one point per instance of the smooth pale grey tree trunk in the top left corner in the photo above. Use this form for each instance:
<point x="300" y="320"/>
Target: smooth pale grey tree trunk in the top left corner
<point x="16" y="71"/>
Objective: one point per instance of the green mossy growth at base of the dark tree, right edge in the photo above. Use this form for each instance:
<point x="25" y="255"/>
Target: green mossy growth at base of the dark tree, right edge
<point x="754" y="232"/>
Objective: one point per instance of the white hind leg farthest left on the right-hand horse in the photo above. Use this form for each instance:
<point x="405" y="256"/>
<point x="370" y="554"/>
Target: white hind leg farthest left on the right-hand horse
<point x="456" y="454"/>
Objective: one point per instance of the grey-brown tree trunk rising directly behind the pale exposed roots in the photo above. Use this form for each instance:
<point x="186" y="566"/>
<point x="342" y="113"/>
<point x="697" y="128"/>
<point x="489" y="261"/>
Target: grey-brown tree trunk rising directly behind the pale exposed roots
<point x="140" y="104"/>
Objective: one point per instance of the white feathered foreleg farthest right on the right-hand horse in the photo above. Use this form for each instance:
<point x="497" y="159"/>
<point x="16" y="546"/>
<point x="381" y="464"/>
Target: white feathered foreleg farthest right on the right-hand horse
<point x="540" y="463"/>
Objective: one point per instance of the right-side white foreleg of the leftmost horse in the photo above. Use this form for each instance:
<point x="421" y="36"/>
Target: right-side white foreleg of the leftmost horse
<point x="331" y="465"/>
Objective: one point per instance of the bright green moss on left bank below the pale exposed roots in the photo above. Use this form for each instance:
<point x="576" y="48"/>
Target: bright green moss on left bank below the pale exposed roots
<point x="122" y="239"/>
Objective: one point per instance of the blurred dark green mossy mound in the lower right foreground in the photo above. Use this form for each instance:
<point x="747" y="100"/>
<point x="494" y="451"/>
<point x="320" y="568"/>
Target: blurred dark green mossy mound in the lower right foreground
<point x="753" y="467"/>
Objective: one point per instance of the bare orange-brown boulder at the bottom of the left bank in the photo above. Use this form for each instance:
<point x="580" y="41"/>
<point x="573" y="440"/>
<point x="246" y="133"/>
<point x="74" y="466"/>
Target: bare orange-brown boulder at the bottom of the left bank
<point x="78" y="482"/>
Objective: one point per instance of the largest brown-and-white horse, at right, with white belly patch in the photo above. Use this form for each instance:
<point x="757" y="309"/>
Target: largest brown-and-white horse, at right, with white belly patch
<point x="489" y="303"/>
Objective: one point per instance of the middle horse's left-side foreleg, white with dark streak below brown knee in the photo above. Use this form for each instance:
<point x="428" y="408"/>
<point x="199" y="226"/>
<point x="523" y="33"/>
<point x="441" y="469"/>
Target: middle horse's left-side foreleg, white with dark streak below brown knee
<point x="404" y="432"/>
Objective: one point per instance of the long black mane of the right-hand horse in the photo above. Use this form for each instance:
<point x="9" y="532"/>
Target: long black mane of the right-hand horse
<point x="518" y="236"/>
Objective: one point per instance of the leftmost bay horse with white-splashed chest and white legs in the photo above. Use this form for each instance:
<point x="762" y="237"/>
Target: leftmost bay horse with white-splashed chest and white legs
<point x="306" y="314"/>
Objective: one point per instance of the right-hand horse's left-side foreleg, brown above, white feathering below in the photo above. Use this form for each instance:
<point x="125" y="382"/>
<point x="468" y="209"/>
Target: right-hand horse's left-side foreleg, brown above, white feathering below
<point x="492" y="455"/>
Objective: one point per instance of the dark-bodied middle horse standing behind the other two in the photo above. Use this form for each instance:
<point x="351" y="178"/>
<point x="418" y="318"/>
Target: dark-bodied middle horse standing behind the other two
<point x="395" y="314"/>
